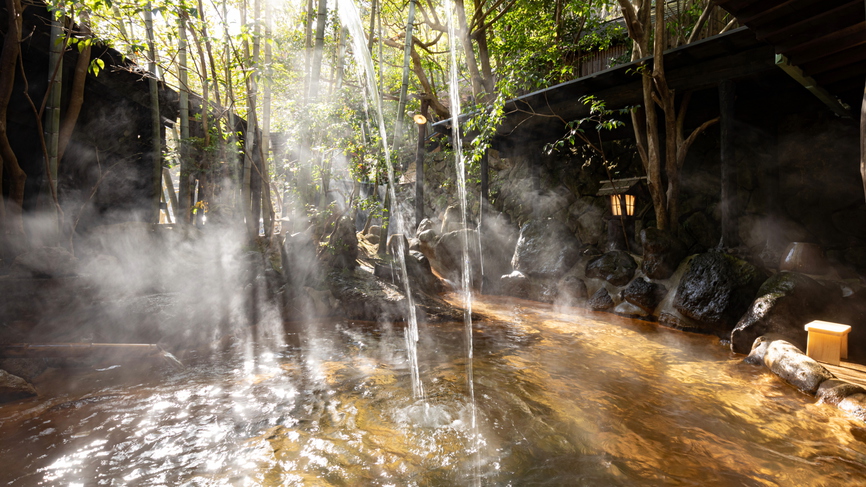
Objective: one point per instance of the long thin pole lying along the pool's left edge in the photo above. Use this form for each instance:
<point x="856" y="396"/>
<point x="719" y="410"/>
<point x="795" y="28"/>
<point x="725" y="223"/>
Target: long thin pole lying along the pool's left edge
<point x="101" y="350"/>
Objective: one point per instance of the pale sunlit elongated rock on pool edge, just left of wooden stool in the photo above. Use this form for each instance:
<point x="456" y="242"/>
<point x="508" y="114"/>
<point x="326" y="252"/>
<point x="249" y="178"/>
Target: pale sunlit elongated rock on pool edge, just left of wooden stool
<point x="789" y="363"/>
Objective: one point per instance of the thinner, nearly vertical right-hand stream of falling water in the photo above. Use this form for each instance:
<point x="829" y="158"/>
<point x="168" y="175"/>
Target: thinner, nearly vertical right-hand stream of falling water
<point x="454" y="95"/>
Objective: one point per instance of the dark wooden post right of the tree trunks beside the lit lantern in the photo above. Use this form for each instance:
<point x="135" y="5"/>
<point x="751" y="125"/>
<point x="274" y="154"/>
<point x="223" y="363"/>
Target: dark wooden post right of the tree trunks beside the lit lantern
<point x="728" y="163"/>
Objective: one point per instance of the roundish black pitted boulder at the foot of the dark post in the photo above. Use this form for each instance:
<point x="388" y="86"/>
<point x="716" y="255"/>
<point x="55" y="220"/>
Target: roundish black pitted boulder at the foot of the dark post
<point x="716" y="290"/>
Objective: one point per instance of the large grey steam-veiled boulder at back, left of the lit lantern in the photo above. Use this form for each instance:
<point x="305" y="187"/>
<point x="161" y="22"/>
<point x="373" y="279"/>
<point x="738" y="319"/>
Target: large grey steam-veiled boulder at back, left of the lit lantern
<point x="545" y="248"/>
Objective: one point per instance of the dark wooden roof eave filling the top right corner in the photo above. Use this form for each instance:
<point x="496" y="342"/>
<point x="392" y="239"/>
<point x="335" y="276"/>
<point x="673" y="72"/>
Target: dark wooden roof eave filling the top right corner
<point x="826" y="39"/>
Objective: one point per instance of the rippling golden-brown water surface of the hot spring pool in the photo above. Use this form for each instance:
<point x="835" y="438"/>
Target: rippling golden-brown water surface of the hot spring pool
<point x="562" y="400"/>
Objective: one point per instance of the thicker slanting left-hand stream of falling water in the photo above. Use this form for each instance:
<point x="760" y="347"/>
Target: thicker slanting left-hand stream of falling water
<point x="351" y="18"/>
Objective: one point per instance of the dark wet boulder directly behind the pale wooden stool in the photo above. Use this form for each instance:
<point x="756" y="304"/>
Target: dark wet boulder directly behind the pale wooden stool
<point x="785" y="303"/>
